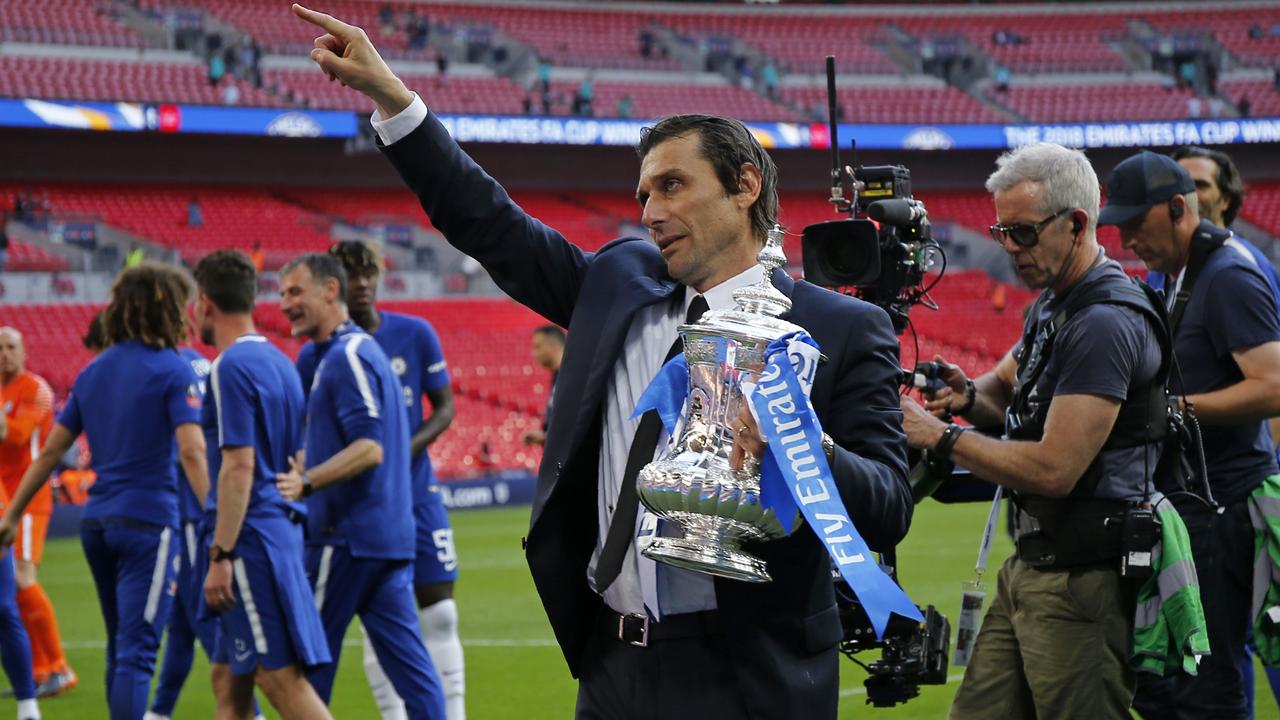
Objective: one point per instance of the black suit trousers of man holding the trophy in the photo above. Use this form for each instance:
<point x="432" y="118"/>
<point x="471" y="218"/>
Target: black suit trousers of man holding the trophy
<point x="687" y="677"/>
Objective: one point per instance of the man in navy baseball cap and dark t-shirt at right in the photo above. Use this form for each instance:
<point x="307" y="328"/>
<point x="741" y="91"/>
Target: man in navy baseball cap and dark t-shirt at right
<point x="1227" y="343"/>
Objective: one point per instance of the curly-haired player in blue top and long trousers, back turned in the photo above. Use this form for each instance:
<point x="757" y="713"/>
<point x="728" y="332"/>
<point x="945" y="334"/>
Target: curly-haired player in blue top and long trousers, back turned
<point x="139" y="403"/>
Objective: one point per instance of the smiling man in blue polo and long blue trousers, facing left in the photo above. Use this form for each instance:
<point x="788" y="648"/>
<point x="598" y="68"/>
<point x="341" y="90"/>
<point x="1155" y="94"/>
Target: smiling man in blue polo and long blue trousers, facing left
<point x="356" y="480"/>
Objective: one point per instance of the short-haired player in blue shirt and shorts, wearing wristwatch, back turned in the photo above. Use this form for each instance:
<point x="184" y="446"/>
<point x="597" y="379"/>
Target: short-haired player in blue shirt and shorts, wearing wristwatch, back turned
<point x="268" y="626"/>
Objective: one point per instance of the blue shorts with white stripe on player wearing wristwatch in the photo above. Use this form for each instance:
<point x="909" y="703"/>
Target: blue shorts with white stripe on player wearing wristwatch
<point x="275" y="622"/>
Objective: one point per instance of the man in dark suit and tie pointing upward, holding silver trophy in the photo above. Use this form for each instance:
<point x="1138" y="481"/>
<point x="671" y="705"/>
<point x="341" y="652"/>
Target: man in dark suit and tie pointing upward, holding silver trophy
<point x="646" y="640"/>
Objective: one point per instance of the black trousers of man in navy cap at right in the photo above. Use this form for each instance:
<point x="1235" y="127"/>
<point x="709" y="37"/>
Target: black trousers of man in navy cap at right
<point x="1223" y="548"/>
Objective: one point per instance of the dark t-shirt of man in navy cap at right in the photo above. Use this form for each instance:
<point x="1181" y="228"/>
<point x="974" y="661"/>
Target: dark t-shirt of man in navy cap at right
<point x="1231" y="309"/>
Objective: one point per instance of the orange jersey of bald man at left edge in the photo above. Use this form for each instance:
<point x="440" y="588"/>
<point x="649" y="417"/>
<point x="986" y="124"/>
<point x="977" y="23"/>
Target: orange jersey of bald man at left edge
<point x="28" y="404"/>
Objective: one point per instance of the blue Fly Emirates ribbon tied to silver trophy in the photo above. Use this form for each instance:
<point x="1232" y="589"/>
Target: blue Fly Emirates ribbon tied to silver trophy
<point x="794" y="473"/>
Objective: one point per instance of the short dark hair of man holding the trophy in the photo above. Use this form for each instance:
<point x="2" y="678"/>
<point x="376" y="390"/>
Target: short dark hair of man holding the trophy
<point x="726" y="144"/>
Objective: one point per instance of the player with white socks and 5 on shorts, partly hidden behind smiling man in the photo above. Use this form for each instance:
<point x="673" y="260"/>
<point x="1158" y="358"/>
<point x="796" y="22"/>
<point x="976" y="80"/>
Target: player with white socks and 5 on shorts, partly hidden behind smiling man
<point x="418" y="361"/>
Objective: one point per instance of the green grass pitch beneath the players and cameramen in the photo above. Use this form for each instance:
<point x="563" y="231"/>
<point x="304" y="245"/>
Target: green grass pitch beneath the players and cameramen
<point x="514" y="667"/>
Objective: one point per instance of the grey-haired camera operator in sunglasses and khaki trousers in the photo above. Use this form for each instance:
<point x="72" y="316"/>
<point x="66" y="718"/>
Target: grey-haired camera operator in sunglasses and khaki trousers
<point x="1075" y="397"/>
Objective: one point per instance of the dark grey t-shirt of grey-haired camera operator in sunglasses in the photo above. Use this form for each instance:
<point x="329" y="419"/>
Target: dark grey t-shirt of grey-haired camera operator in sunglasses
<point x="1104" y="350"/>
